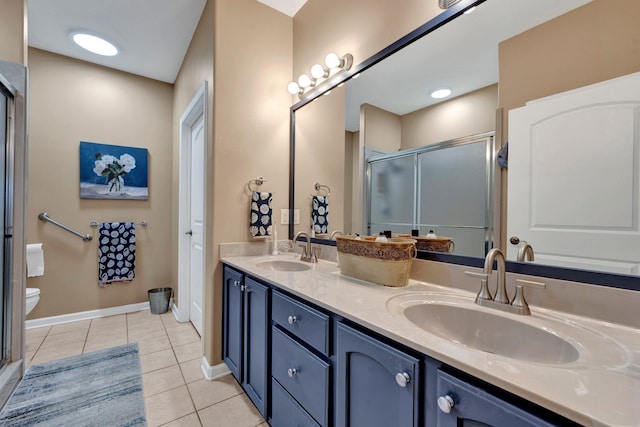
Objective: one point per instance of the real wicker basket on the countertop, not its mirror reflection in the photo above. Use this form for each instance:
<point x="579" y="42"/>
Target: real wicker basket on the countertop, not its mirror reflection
<point x="383" y="263"/>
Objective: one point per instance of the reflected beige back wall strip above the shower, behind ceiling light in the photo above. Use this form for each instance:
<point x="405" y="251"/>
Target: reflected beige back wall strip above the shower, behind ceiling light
<point x="465" y="115"/>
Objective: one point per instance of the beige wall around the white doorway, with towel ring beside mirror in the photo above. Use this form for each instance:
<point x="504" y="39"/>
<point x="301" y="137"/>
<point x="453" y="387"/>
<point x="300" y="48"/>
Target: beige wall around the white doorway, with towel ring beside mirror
<point x="243" y="49"/>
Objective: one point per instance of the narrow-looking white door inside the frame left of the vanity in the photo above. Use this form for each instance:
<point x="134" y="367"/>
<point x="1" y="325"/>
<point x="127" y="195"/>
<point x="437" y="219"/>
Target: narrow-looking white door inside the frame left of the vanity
<point x="196" y="222"/>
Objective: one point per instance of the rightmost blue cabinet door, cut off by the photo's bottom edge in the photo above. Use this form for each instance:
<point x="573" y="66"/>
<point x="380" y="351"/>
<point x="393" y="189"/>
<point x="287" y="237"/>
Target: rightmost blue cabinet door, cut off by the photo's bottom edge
<point x="470" y="406"/>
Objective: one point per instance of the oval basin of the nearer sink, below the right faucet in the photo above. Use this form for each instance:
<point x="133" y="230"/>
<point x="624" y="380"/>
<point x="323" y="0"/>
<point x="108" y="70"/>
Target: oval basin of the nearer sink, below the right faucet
<point x="485" y="331"/>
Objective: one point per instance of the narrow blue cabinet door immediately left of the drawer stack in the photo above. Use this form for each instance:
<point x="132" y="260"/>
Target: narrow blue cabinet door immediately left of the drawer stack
<point x="256" y="348"/>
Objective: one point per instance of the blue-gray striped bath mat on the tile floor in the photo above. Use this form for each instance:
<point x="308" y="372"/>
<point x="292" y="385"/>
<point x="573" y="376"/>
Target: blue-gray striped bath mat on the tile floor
<point x="102" y="388"/>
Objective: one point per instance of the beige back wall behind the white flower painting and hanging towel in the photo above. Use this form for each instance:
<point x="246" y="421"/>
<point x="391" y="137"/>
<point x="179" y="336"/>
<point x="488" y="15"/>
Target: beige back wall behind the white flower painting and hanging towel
<point x="73" y="101"/>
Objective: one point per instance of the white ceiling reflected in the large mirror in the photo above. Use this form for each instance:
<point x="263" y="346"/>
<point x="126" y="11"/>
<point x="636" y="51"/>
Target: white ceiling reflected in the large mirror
<point x="462" y="55"/>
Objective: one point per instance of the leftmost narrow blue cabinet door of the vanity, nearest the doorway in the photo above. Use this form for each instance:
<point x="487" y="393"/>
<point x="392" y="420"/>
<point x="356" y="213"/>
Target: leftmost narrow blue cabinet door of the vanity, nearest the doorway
<point x="232" y="321"/>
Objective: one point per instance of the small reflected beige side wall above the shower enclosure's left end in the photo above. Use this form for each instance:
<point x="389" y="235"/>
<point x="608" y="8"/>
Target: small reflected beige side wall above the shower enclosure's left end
<point x="381" y="129"/>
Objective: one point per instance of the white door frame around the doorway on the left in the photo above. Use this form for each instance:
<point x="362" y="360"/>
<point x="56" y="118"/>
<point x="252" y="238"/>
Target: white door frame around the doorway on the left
<point x="196" y="108"/>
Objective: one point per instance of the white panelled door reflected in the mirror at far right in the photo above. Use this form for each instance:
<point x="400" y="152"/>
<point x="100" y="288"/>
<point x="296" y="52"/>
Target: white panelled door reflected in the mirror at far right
<point x="574" y="177"/>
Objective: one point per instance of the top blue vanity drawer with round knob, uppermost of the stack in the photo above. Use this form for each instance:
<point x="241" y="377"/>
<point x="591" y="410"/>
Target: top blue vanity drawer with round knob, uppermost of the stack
<point x="308" y="324"/>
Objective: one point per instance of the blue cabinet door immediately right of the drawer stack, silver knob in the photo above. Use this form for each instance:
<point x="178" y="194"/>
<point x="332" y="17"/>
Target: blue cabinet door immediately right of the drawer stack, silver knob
<point x="368" y="394"/>
